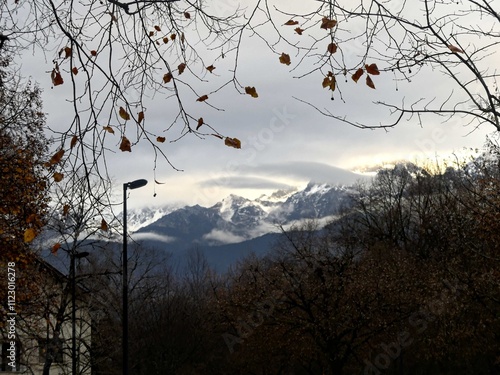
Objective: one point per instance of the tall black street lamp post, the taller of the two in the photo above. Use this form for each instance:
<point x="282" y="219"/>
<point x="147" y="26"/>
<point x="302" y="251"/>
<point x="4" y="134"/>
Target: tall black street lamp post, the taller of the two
<point x="129" y="185"/>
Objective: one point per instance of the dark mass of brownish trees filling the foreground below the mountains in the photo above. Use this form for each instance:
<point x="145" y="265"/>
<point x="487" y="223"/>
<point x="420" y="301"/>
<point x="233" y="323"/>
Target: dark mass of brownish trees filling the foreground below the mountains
<point x="405" y="282"/>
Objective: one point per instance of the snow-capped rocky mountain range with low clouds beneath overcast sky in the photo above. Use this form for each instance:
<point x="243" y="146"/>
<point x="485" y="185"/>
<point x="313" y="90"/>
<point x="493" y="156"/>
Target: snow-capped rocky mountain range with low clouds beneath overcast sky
<point x="236" y="219"/>
